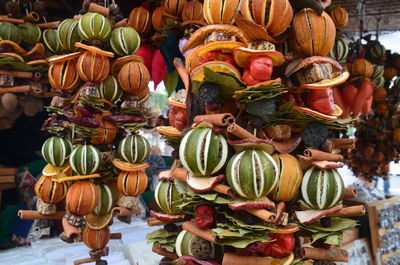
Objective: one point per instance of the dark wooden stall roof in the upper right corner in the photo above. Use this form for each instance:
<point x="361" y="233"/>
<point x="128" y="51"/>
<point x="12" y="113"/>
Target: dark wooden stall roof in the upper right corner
<point x="387" y="12"/>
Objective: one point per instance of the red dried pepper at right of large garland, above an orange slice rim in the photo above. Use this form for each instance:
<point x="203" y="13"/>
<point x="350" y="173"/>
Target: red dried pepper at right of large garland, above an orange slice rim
<point x="321" y="100"/>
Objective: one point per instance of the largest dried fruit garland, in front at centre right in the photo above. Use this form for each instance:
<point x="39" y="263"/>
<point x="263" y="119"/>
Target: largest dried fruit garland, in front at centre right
<point x="255" y="178"/>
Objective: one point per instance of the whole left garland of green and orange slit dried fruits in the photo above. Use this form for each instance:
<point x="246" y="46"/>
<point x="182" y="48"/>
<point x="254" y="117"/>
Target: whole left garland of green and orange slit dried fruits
<point x="96" y="155"/>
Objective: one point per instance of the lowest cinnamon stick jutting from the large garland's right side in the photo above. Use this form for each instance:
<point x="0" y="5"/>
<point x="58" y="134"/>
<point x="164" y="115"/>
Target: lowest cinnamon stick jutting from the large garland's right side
<point x="332" y="254"/>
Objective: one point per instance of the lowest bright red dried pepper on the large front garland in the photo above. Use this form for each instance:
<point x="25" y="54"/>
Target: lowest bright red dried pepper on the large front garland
<point x="281" y="247"/>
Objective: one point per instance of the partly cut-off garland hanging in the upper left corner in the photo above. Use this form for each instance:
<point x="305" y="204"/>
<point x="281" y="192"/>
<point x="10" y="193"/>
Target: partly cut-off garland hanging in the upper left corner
<point x="23" y="66"/>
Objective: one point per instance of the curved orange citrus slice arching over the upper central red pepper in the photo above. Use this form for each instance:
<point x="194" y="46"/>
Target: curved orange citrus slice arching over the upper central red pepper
<point x="242" y="55"/>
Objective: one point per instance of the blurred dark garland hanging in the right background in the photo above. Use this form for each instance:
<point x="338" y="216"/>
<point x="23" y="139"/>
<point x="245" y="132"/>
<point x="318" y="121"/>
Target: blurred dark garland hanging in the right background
<point x="378" y="129"/>
